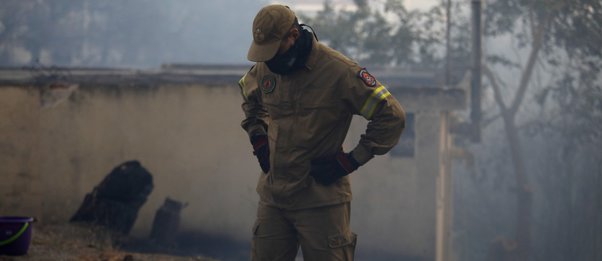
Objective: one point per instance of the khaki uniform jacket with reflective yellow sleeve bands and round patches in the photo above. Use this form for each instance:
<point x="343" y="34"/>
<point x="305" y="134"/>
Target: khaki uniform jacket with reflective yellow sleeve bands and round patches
<point x="307" y="114"/>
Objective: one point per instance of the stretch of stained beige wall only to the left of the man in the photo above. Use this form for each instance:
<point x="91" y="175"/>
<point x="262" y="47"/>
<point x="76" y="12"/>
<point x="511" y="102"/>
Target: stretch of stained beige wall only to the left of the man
<point x="188" y="137"/>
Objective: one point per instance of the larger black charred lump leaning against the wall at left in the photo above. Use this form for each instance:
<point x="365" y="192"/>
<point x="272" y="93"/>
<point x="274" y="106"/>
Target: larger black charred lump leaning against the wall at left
<point x="115" y="202"/>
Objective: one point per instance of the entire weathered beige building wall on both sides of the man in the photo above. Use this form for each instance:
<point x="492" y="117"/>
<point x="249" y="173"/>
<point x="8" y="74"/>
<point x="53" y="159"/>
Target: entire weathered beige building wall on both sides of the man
<point x="189" y="138"/>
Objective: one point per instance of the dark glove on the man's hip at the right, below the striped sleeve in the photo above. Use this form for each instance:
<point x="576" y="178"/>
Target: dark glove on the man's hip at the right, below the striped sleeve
<point x="328" y="170"/>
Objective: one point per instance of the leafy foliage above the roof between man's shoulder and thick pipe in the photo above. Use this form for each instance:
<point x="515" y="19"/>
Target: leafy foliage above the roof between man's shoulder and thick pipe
<point x="387" y="34"/>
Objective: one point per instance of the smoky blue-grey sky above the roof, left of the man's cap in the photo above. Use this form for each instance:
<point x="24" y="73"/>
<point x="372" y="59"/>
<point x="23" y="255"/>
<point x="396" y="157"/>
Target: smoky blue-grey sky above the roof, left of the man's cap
<point x="137" y="33"/>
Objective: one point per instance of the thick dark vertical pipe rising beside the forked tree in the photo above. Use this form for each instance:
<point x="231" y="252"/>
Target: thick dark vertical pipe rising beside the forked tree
<point x="475" y="94"/>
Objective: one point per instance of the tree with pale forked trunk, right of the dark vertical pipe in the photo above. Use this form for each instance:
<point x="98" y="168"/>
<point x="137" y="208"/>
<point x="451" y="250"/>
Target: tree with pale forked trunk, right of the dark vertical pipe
<point x="546" y="30"/>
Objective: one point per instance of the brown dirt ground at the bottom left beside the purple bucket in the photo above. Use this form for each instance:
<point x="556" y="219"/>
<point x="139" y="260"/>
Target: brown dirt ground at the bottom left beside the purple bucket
<point x="82" y="243"/>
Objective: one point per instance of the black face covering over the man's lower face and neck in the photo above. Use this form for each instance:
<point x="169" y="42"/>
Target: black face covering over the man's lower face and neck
<point x="294" y="58"/>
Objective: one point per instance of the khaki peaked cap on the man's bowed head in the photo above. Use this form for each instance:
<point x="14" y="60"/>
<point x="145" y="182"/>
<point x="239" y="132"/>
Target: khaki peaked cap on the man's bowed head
<point x="270" y="26"/>
